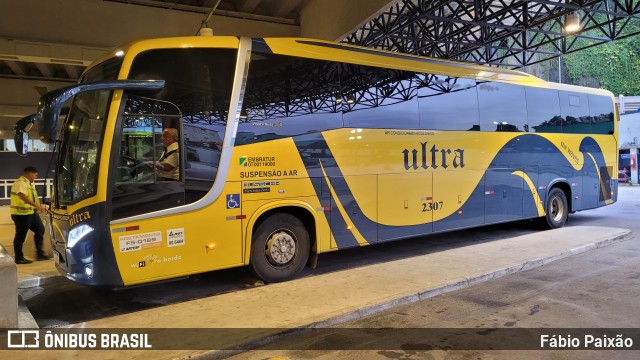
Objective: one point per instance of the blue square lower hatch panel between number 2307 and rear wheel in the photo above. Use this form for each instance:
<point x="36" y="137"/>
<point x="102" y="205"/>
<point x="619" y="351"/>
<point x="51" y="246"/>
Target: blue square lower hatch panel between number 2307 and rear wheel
<point x="503" y="195"/>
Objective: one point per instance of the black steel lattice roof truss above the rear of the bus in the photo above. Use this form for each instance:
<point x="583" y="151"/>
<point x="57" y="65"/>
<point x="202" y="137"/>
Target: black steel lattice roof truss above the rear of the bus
<point x="501" y="33"/>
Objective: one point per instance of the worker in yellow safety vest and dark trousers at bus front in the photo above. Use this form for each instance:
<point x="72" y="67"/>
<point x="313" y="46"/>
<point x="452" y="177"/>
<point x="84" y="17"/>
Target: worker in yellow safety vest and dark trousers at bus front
<point x="24" y="202"/>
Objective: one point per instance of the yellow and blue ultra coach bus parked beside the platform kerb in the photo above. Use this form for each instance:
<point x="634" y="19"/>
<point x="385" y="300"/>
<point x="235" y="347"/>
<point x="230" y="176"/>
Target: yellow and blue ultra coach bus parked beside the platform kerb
<point x="292" y="147"/>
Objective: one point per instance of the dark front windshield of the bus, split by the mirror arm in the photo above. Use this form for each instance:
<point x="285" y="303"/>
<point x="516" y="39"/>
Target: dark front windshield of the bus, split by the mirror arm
<point x="77" y="173"/>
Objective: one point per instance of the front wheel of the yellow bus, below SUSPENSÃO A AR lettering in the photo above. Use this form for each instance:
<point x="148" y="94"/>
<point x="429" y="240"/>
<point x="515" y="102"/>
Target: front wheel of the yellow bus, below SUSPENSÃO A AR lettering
<point x="279" y="248"/>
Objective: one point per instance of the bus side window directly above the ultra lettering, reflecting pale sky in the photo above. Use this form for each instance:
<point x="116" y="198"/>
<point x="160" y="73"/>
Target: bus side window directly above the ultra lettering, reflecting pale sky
<point x="447" y="103"/>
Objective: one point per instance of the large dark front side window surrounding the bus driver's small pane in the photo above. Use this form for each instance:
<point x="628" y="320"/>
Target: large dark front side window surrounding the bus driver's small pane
<point x="198" y="83"/>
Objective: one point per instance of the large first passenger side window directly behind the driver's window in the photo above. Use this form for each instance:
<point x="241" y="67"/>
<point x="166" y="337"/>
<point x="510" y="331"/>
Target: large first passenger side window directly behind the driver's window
<point x="289" y="96"/>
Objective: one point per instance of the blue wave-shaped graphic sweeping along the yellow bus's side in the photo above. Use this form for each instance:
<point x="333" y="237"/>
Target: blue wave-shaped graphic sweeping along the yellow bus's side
<point x="543" y="163"/>
